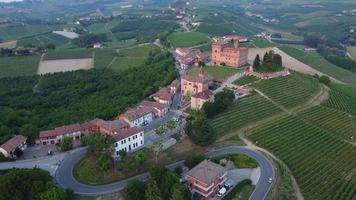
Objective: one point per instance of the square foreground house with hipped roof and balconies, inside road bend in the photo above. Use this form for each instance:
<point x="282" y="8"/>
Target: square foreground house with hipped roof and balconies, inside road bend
<point x="206" y="179"/>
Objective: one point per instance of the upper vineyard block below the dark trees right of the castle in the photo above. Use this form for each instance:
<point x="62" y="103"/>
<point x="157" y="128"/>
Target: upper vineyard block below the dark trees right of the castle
<point x="291" y="90"/>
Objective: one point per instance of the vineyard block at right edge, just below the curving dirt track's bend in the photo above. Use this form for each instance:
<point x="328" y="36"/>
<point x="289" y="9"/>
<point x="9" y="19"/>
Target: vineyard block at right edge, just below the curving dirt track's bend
<point x="331" y="120"/>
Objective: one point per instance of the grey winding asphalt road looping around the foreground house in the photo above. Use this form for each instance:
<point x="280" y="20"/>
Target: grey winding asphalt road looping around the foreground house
<point x="65" y="178"/>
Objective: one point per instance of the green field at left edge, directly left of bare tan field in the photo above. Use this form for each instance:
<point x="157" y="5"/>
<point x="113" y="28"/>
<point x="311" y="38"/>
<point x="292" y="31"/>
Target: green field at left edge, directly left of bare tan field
<point x="19" y="65"/>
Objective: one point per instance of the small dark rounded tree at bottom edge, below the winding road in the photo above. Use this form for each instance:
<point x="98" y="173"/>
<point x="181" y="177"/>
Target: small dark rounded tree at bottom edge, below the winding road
<point x="135" y="190"/>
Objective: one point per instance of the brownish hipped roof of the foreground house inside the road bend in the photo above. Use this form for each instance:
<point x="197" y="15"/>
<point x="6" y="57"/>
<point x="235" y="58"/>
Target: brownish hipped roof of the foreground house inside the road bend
<point x="207" y="172"/>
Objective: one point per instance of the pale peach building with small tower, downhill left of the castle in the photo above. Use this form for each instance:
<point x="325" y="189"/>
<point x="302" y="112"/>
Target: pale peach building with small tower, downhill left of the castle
<point x="192" y="85"/>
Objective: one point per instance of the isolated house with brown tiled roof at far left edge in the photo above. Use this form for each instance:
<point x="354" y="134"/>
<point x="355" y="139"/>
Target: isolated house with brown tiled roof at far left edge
<point x="14" y="147"/>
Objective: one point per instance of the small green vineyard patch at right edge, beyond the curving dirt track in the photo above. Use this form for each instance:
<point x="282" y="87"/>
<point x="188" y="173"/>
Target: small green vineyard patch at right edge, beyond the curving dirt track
<point x="341" y="101"/>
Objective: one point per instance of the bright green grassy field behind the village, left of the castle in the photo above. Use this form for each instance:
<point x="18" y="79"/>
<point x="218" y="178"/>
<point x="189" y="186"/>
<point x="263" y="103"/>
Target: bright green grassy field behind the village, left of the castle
<point x="187" y="39"/>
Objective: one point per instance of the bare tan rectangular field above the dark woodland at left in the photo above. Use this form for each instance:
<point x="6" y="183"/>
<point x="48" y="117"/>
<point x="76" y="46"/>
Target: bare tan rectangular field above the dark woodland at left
<point x="64" y="65"/>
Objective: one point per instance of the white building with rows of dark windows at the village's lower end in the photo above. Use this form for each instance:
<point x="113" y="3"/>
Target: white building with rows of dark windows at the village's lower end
<point x="129" y="140"/>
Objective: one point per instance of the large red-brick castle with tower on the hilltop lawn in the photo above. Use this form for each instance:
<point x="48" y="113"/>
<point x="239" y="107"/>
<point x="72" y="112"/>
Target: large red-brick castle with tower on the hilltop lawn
<point x="223" y="54"/>
